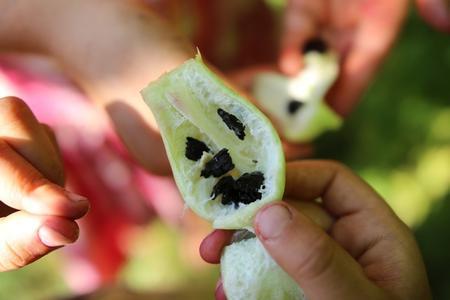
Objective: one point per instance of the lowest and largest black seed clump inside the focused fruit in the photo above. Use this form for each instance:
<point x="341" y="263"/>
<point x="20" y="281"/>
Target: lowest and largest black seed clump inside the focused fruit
<point x="244" y="190"/>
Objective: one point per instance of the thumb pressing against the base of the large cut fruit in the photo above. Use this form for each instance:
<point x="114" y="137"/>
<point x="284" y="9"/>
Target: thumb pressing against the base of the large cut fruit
<point x="319" y="265"/>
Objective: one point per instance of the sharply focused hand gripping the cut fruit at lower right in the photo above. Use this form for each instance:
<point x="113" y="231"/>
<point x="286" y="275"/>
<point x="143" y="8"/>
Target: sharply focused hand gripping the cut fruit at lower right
<point x="366" y="253"/>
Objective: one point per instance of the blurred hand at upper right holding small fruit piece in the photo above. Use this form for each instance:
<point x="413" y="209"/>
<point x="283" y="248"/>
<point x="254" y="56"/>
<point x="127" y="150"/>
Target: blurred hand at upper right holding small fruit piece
<point x="362" y="31"/>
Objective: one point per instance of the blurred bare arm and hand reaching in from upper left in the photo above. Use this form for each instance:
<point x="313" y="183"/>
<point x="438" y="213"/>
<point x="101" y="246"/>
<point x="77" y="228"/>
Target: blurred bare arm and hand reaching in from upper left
<point x="111" y="49"/>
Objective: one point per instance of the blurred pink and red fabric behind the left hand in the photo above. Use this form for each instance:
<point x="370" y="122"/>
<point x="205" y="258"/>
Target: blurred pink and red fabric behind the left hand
<point x="122" y="195"/>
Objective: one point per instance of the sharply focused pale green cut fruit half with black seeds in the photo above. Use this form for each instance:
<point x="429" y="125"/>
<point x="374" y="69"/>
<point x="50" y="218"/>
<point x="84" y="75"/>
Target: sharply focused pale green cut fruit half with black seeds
<point x="225" y="155"/>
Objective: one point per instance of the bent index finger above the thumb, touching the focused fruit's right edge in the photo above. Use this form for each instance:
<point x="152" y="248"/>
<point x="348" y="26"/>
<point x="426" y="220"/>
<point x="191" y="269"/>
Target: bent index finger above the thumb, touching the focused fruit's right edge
<point x="341" y="191"/>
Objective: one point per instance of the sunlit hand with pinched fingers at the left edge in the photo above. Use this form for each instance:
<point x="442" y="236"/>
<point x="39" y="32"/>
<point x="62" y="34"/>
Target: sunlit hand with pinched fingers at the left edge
<point x="41" y="212"/>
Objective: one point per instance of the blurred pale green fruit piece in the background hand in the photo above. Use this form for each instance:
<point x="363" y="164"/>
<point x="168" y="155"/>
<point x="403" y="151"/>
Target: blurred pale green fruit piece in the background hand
<point x="296" y="105"/>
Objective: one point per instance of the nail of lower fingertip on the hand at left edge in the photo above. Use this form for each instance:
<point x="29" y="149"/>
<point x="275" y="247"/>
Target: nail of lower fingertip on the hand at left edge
<point x="53" y="235"/>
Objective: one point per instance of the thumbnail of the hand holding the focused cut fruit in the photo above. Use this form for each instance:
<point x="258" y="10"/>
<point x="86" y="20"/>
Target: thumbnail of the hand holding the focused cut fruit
<point x="272" y="220"/>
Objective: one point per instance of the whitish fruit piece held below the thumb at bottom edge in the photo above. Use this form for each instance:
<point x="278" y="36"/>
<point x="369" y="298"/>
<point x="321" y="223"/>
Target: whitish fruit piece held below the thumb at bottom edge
<point x="249" y="273"/>
